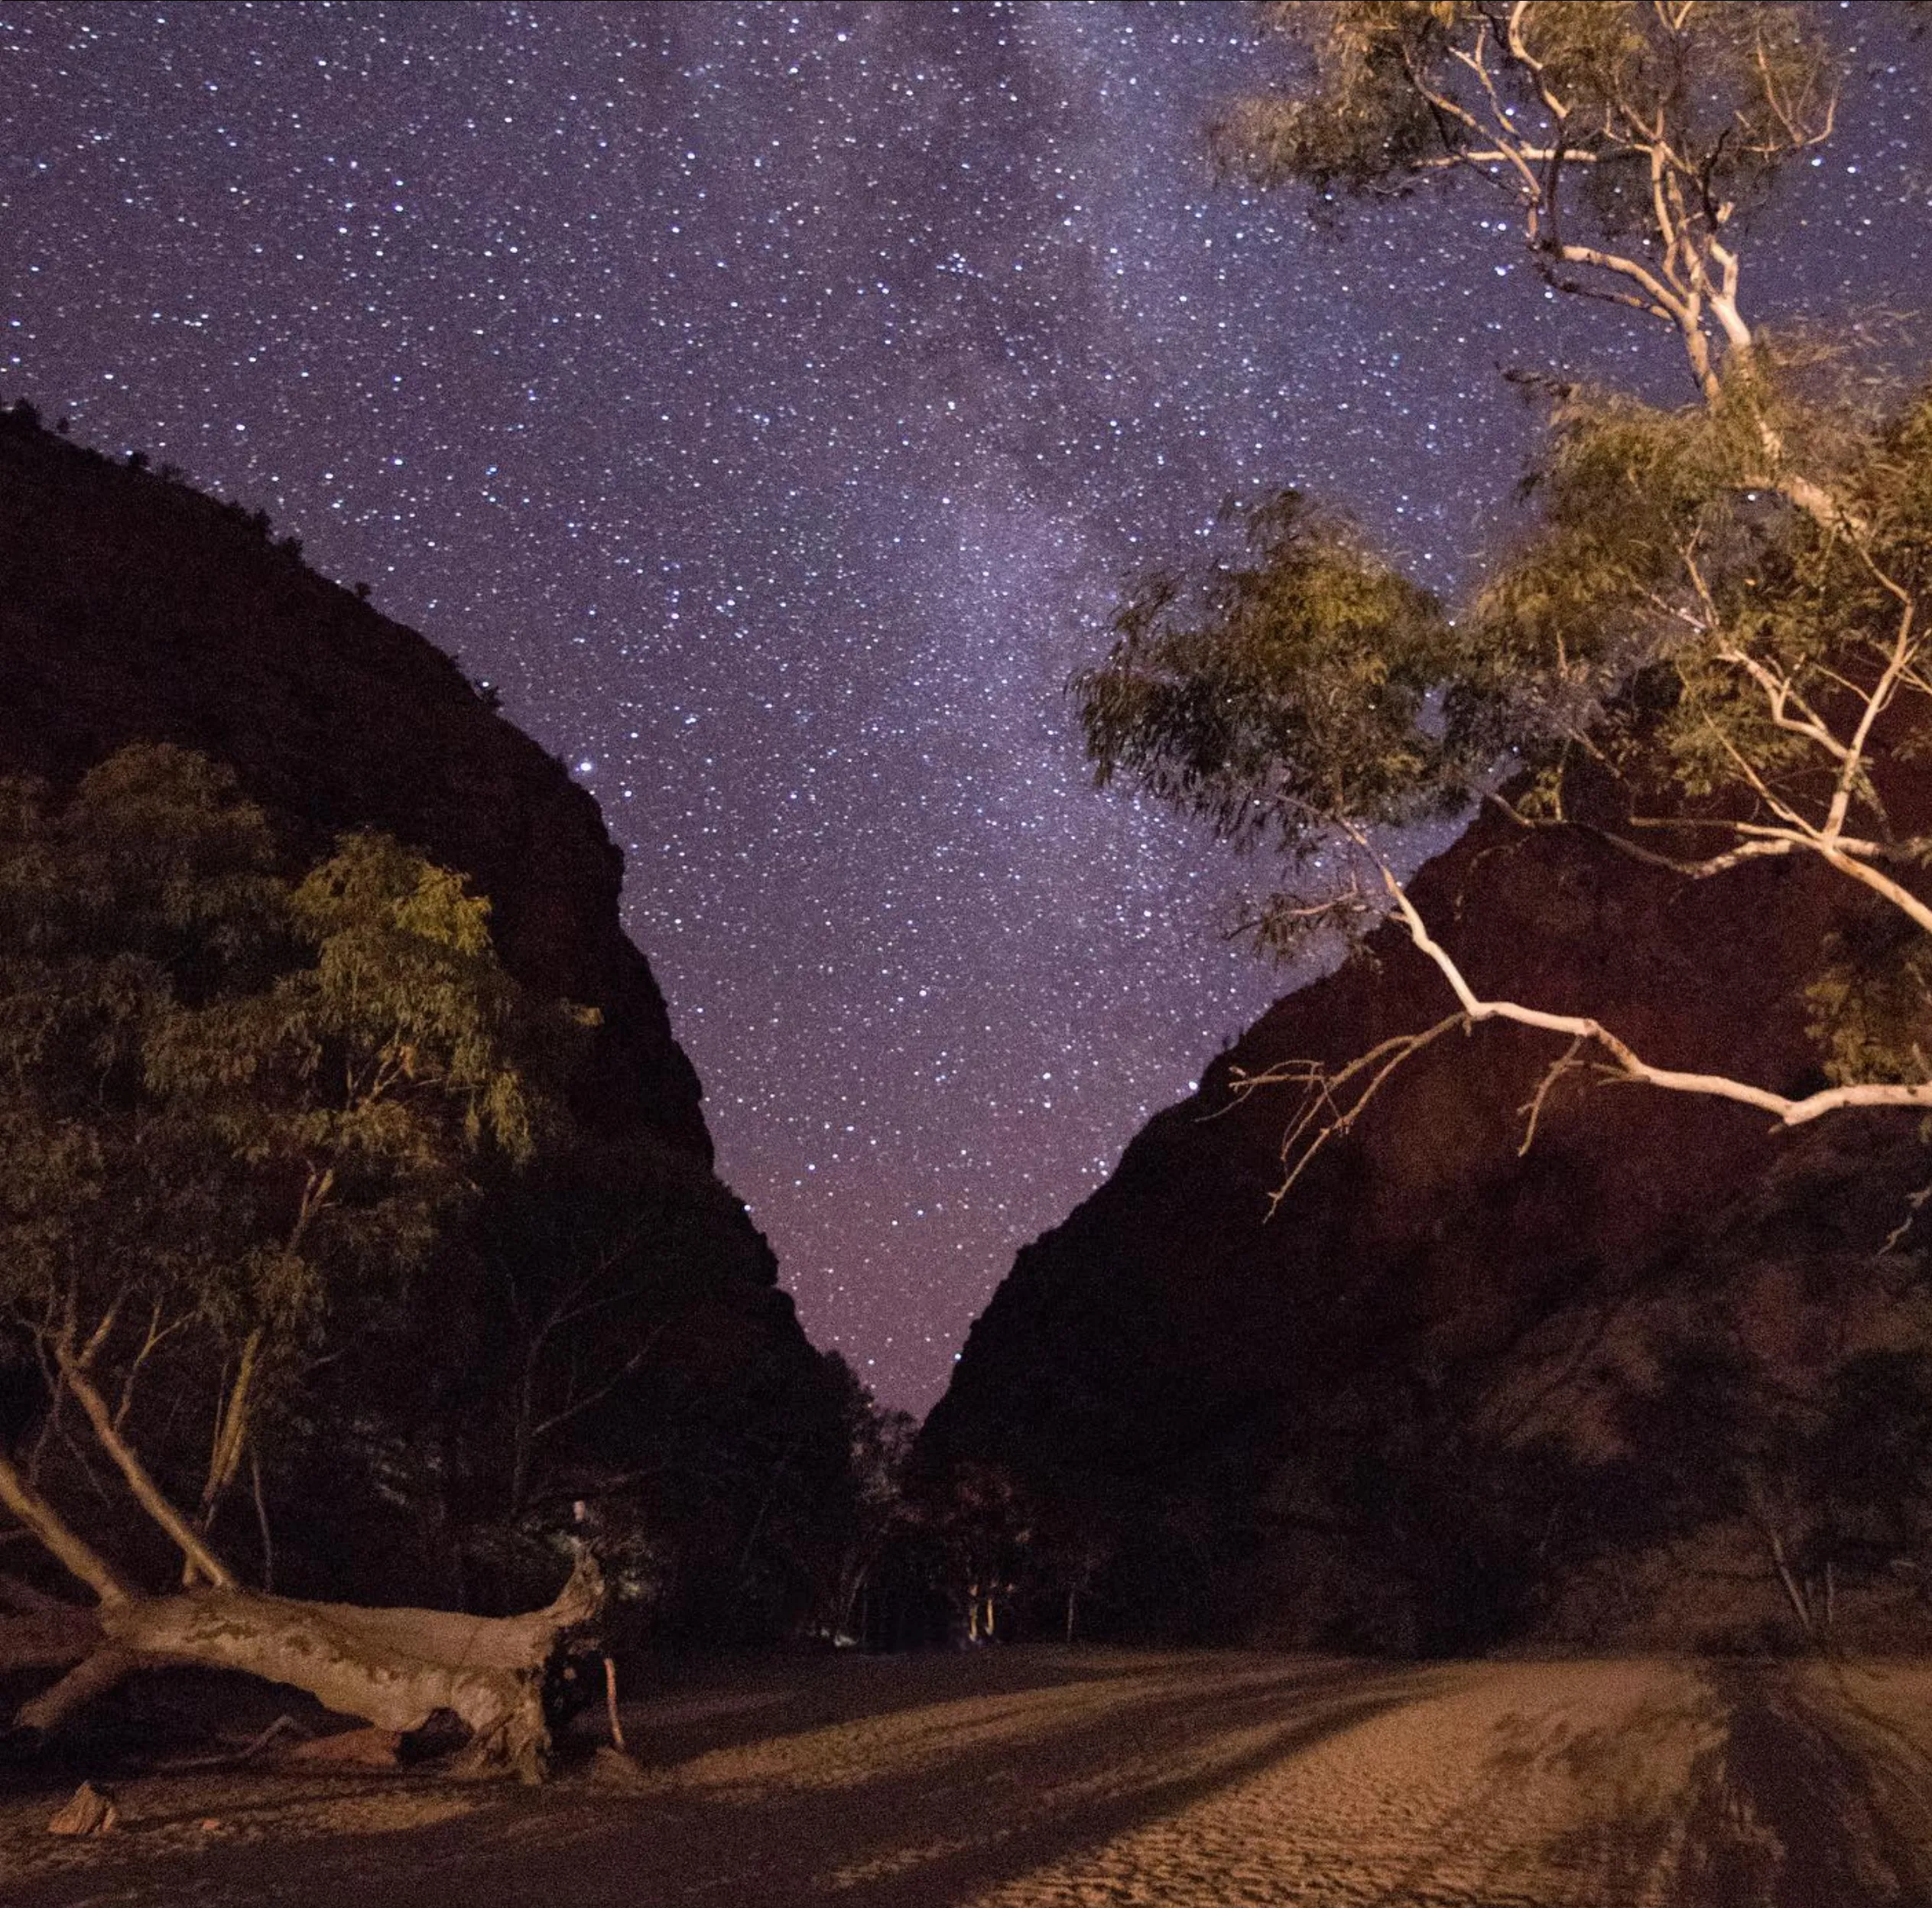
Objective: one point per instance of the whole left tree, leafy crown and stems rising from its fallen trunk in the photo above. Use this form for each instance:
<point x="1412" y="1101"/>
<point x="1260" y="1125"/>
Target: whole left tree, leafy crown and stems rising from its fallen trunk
<point x="237" y="1113"/>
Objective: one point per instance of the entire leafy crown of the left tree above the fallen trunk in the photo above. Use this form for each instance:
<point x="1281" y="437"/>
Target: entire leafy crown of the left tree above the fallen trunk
<point x="233" y="1107"/>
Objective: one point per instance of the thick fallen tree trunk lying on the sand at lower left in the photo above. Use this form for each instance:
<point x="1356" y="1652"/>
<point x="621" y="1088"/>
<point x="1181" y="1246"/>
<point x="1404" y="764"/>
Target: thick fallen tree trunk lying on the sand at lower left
<point x="391" y="1667"/>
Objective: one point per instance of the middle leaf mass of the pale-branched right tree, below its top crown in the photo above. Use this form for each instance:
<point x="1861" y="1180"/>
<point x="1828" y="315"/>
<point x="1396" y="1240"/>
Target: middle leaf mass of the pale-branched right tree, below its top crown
<point x="1305" y="693"/>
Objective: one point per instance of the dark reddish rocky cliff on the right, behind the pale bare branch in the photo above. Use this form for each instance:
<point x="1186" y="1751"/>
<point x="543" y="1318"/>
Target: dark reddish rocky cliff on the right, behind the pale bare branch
<point x="1460" y="1391"/>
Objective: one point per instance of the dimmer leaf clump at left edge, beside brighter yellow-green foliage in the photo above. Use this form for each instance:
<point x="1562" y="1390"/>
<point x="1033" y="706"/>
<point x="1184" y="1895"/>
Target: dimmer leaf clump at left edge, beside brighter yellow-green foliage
<point x="150" y="892"/>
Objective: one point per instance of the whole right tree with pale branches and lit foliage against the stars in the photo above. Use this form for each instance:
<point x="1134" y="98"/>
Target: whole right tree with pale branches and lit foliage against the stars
<point x="1720" y="614"/>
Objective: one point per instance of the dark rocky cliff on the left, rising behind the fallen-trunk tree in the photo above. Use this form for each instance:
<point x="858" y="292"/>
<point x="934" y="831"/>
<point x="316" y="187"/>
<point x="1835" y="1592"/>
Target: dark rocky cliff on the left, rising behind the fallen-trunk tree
<point x="675" y="1391"/>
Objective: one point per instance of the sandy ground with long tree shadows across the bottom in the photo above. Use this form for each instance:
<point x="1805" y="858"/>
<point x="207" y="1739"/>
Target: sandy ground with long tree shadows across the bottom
<point x="1044" y="1779"/>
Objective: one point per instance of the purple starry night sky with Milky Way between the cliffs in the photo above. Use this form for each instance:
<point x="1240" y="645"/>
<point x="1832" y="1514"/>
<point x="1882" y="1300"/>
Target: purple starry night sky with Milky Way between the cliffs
<point x="768" y="401"/>
